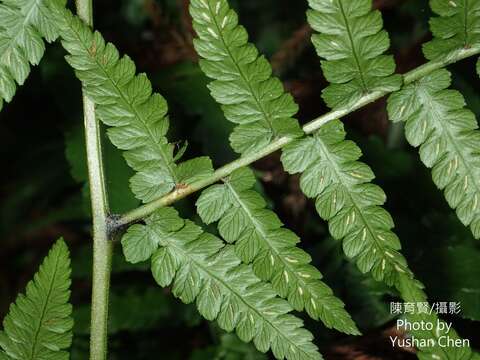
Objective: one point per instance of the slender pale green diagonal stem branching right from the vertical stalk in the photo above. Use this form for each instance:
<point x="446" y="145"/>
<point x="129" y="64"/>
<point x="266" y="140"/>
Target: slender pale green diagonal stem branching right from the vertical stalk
<point x="413" y="75"/>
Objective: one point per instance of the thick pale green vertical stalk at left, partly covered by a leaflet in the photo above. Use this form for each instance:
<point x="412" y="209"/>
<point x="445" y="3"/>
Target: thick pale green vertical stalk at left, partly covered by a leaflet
<point x="102" y="246"/>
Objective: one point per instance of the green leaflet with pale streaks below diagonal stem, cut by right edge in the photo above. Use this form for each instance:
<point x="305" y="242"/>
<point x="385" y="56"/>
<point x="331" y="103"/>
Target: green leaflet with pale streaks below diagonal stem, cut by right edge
<point x="446" y="132"/>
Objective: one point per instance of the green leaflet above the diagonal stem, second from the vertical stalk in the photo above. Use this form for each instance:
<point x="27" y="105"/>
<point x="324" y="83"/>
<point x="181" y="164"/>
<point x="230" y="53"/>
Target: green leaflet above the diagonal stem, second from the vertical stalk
<point x="244" y="85"/>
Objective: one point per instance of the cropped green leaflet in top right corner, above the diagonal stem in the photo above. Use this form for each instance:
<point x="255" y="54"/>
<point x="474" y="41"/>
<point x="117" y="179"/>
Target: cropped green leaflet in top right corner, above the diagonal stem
<point x="456" y="27"/>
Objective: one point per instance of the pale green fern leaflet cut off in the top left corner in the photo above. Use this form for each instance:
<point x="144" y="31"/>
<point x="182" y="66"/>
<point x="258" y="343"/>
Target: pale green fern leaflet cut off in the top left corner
<point x="23" y="26"/>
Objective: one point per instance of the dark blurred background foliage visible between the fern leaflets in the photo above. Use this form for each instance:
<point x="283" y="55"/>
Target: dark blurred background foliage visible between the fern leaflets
<point x="44" y="194"/>
